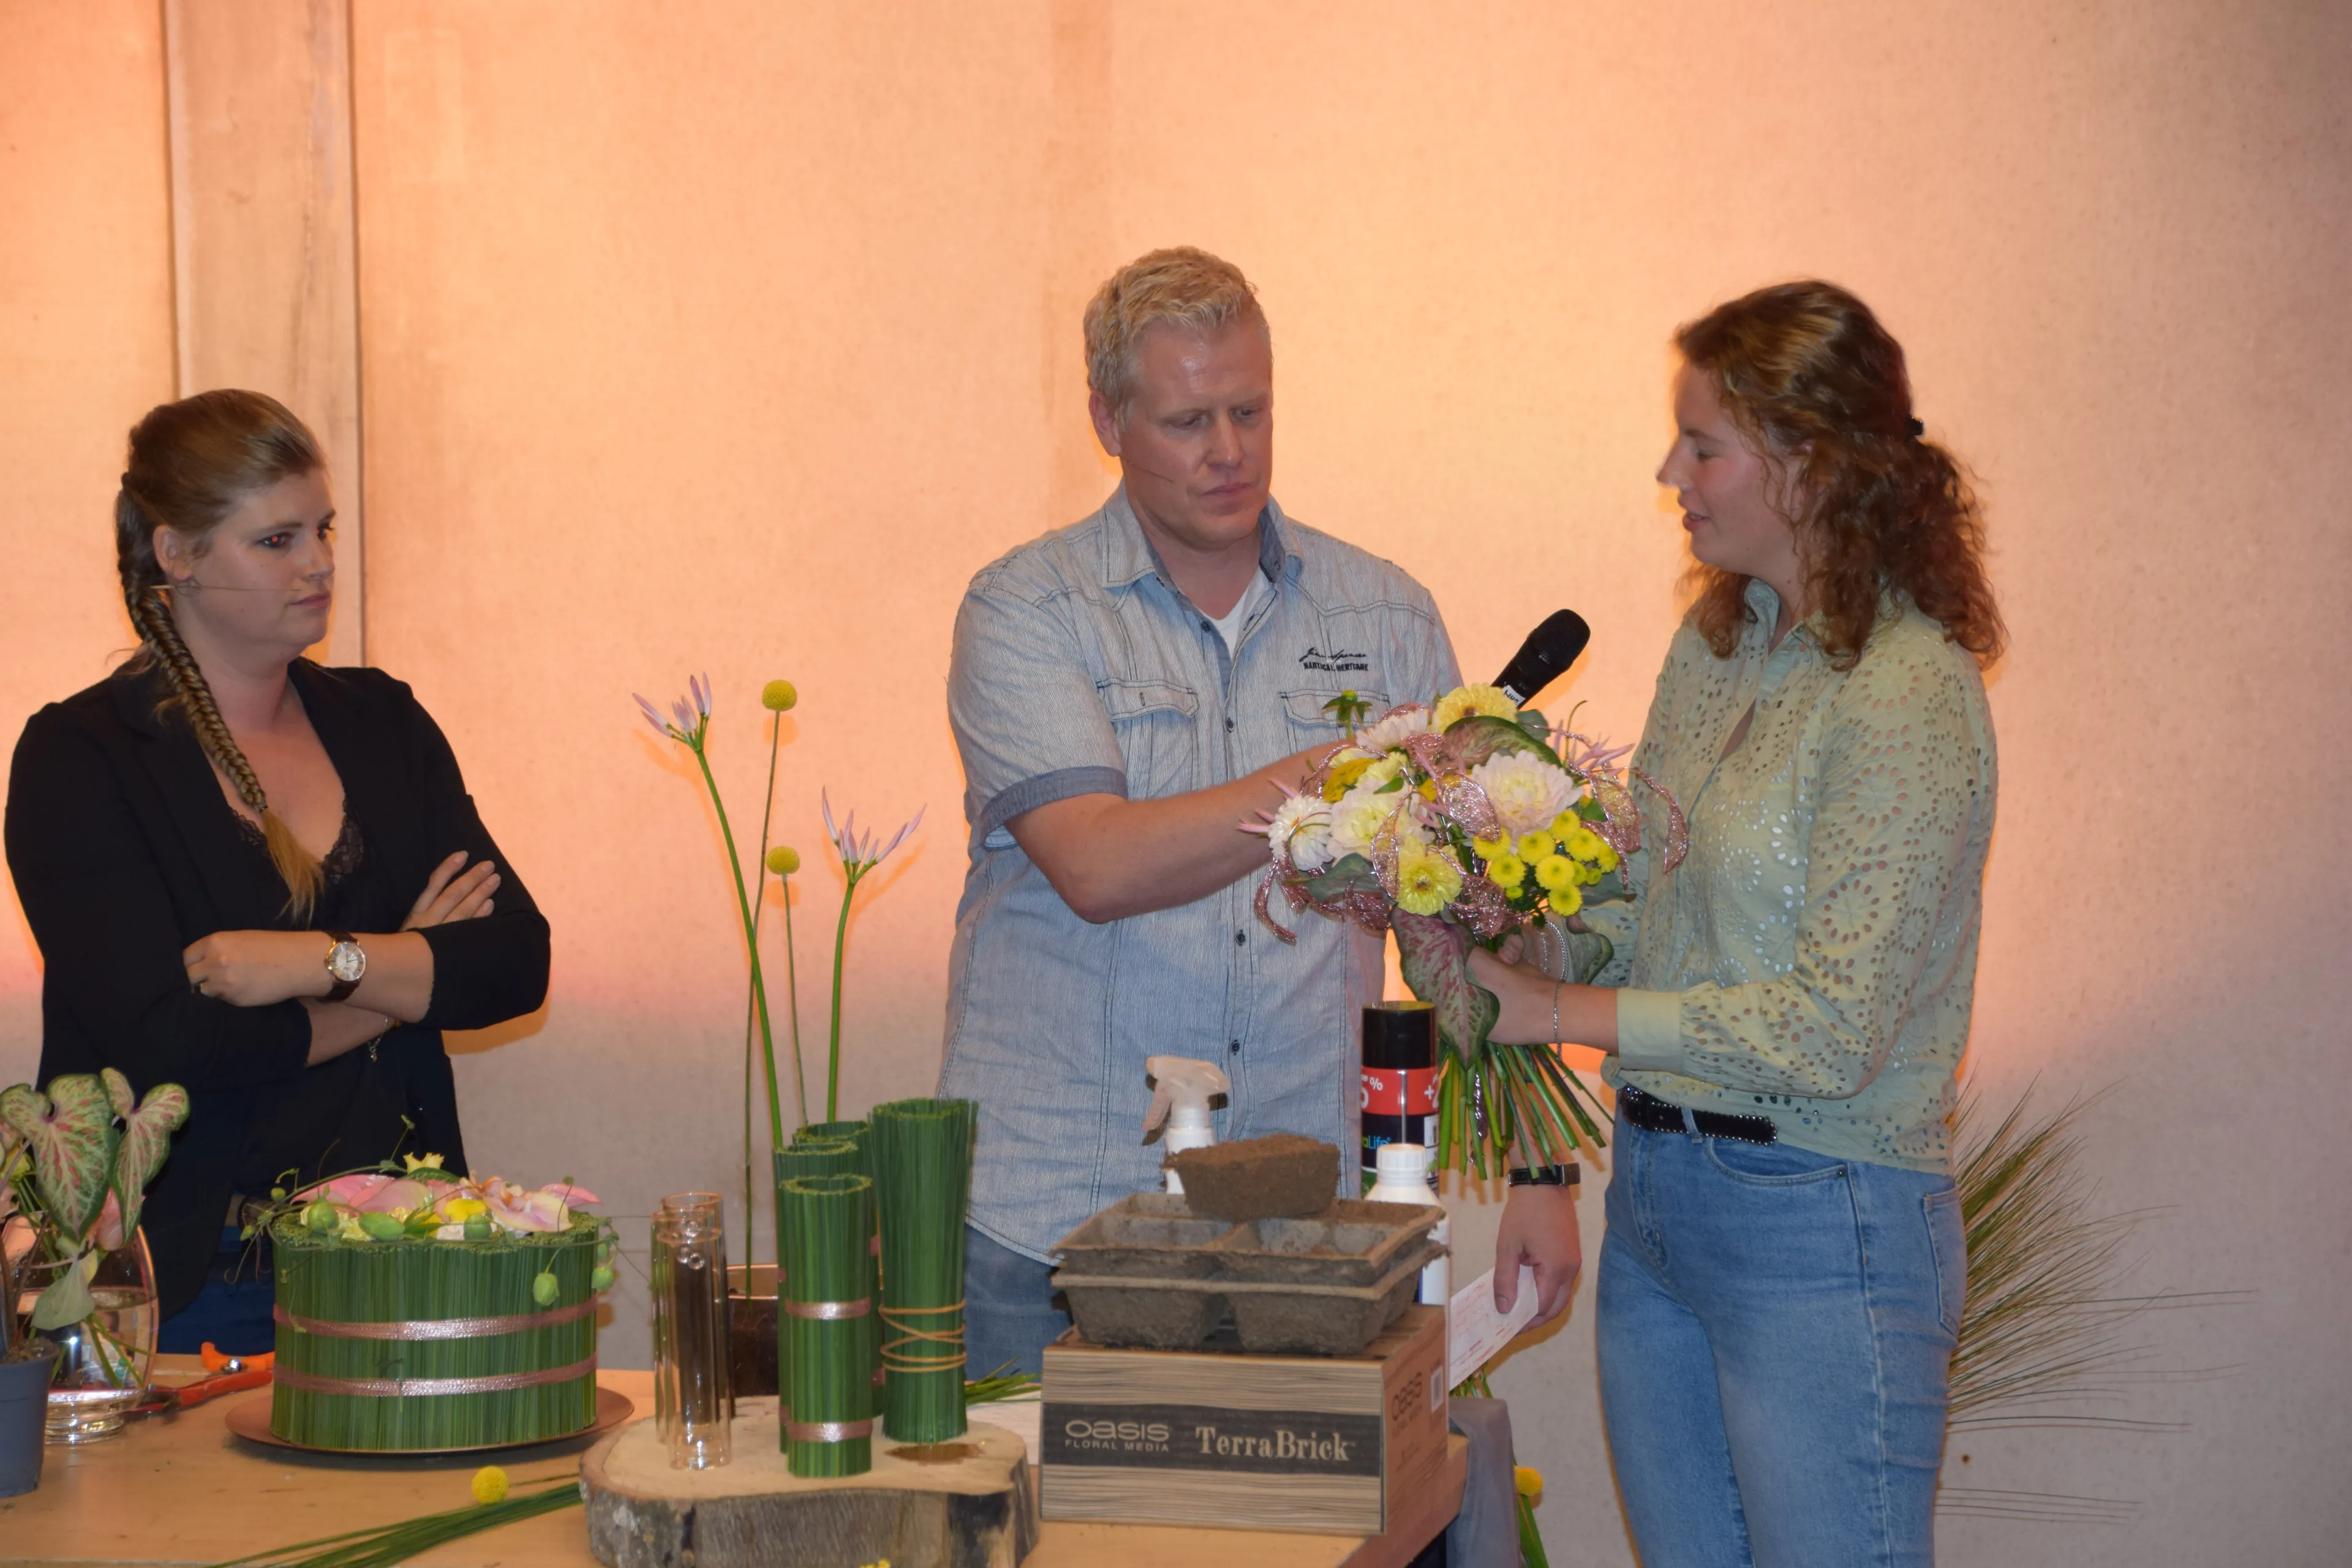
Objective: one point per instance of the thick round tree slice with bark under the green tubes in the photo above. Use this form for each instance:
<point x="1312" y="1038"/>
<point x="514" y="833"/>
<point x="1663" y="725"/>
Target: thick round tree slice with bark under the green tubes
<point x="951" y="1506"/>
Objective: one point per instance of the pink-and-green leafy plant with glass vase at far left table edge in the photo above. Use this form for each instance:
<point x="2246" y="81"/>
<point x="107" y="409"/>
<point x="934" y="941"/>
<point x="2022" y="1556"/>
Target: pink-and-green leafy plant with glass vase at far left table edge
<point x="76" y="1165"/>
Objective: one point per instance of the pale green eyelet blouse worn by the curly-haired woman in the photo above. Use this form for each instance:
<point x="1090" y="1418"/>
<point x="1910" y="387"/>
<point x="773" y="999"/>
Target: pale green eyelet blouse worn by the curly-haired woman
<point x="1815" y="958"/>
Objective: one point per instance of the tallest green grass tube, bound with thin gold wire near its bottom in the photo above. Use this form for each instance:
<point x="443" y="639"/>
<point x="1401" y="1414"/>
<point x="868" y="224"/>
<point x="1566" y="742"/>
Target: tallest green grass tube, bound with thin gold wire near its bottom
<point x="923" y="1179"/>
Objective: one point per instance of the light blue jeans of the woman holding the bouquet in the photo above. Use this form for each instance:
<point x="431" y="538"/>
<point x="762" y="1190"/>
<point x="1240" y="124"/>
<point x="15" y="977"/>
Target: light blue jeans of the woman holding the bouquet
<point x="1775" y="1341"/>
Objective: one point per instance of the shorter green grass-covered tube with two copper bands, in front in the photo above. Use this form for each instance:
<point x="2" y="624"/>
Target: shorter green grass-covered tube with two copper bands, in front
<point x="824" y="1306"/>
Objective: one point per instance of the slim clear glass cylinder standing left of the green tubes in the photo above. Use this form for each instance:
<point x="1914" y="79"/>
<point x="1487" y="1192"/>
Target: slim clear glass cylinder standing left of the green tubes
<point x="693" y="1395"/>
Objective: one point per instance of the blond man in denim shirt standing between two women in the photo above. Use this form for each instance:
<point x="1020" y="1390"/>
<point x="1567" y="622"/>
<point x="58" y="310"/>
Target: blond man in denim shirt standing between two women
<point x="1125" y="692"/>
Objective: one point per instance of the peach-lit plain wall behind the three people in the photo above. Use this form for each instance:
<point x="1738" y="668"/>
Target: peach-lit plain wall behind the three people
<point x="737" y="337"/>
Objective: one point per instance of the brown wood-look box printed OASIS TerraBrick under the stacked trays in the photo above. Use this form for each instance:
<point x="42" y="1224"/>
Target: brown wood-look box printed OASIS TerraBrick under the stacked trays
<point x="1215" y="1438"/>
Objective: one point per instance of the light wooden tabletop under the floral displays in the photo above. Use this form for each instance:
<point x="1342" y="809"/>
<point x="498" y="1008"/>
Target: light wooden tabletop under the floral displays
<point x="180" y="1489"/>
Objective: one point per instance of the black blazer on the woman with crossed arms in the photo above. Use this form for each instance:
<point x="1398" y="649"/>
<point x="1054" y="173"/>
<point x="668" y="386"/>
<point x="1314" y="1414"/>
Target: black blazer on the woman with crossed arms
<point x="126" y="852"/>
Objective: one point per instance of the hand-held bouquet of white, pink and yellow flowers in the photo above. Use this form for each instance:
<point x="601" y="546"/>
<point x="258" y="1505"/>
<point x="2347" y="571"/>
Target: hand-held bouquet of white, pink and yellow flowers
<point x="1455" y="824"/>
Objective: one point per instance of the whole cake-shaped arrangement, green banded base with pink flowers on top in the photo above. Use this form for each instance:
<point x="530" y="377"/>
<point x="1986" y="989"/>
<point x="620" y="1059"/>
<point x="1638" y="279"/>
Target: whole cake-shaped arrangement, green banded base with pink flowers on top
<point x="429" y="1313"/>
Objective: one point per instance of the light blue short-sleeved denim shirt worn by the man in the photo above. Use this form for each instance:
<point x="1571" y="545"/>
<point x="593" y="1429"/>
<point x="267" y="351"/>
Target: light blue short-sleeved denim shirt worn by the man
<point x="1083" y="671"/>
